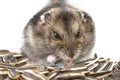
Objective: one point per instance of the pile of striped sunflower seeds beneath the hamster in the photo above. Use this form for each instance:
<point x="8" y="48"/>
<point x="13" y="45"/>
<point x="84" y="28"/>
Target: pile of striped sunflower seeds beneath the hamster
<point x="13" y="66"/>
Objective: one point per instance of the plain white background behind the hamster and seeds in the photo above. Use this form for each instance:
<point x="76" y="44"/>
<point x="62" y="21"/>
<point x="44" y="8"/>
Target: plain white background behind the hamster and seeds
<point x="14" y="15"/>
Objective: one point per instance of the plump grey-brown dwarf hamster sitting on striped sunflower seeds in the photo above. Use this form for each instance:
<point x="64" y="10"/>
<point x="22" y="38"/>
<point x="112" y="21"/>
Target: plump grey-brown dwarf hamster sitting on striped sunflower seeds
<point x="58" y="31"/>
